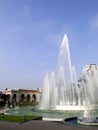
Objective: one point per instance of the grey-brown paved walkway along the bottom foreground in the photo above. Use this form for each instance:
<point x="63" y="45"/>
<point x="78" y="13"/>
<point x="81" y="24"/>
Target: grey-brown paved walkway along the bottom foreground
<point x="40" y="125"/>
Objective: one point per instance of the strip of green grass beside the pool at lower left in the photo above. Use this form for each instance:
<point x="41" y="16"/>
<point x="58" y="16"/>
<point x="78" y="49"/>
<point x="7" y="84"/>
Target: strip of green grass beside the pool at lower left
<point x="20" y="119"/>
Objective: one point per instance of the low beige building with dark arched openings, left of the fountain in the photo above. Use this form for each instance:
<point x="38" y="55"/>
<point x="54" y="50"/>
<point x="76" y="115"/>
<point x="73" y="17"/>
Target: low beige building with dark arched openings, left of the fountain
<point x="23" y="95"/>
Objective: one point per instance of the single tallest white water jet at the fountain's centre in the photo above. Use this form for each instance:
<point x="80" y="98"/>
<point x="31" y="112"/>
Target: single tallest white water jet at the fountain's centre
<point x="64" y="63"/>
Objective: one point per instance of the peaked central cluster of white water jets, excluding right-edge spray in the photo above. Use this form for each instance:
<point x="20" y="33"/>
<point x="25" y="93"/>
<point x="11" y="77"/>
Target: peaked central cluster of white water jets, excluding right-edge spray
<point x="61" y="88"/>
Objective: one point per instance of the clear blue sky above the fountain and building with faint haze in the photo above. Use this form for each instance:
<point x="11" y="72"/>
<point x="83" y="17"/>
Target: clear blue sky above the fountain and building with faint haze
<point x="31" y="32"/>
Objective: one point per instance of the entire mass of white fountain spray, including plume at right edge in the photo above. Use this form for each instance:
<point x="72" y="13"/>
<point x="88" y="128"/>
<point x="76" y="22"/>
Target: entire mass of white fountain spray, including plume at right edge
<point x="62" y="88"/>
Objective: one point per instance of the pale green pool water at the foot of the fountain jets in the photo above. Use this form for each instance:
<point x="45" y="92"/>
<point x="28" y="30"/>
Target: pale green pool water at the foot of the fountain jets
<point x="48" y="113"/>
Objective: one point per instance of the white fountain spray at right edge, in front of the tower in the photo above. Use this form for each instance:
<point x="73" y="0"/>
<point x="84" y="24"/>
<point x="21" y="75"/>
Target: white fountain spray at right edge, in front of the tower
<point x="90" y="83"/>
